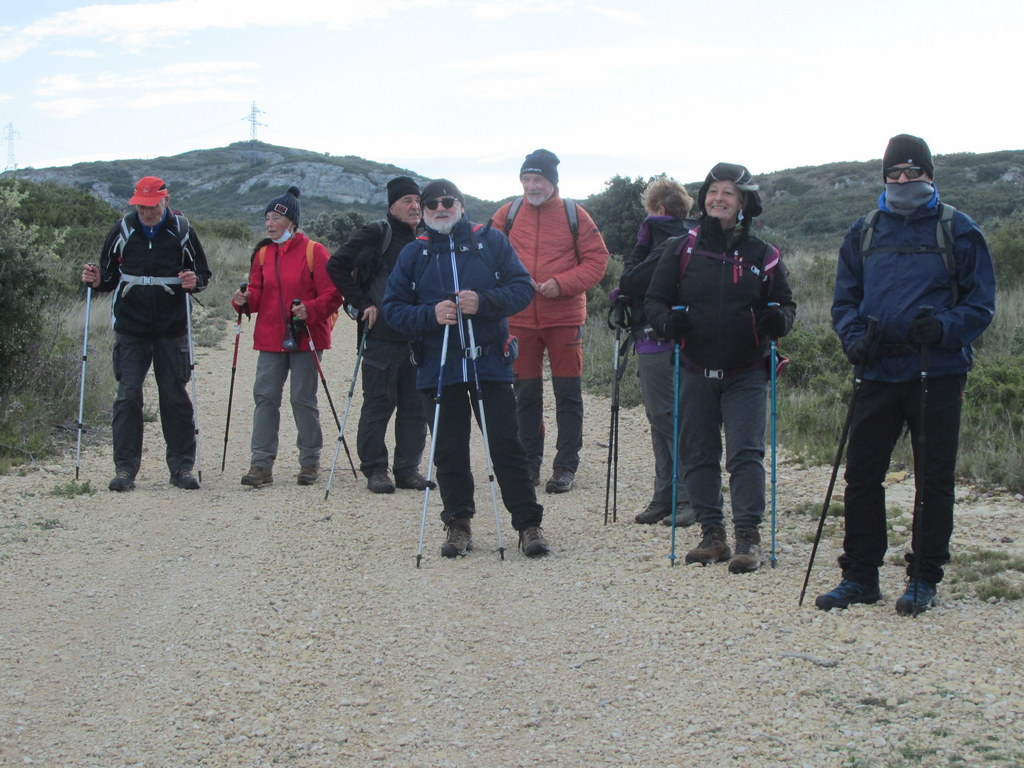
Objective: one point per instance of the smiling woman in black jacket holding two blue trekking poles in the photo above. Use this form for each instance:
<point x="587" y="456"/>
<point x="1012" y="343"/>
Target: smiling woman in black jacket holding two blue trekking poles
<point x="722" y="295"/>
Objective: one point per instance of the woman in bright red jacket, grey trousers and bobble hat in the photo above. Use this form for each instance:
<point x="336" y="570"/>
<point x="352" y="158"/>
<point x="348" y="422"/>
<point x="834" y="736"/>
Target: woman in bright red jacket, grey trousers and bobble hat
<point x="294" y="301"/>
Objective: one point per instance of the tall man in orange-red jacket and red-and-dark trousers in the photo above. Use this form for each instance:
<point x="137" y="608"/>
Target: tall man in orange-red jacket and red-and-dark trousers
<point x="565" y="253"/>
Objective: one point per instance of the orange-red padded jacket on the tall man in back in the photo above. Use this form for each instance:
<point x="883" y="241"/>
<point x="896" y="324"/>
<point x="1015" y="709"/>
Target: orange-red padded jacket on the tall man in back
<point x="542" y="239"/>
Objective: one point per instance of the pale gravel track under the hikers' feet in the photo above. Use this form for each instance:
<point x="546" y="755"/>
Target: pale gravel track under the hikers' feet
<point x="233" y="627"/>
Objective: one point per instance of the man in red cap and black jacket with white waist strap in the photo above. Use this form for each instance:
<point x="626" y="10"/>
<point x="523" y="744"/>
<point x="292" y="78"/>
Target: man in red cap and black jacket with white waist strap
<point x="150" y="261"/>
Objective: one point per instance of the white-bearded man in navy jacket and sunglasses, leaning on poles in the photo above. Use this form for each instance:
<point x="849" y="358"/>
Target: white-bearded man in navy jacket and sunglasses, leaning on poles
<point x="454" y="280"/>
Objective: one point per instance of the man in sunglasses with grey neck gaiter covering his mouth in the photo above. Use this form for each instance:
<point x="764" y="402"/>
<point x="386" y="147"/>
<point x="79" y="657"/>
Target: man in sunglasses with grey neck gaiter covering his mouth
<point x="915" y="287"/>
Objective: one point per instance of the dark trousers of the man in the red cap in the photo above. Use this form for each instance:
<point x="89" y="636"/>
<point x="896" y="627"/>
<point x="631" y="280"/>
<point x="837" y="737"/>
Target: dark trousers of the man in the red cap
<point x="169" y="358"/>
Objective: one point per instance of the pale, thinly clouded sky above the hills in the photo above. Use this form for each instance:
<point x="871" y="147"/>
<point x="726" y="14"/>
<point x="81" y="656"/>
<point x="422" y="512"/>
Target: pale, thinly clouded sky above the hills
<point x="465" y="90"/>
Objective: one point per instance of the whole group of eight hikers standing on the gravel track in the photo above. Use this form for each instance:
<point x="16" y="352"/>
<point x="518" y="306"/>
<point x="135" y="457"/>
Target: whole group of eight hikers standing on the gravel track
<point x="454" y="320"/>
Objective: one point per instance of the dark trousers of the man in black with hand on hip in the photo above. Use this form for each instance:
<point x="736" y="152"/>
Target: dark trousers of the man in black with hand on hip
<point x="390" y="387"/>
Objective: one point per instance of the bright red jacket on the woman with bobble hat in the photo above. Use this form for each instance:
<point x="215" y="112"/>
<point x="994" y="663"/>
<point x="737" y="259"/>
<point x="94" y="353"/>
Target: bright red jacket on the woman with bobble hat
<point x="285" y="276"/>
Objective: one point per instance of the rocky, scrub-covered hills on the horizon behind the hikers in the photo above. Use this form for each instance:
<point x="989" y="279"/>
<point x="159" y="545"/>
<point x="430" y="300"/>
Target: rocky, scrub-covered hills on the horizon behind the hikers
<point x="809" y="207"/>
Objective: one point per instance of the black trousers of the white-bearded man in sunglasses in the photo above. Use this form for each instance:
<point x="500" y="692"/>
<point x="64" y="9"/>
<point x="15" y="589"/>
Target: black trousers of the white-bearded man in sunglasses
<point x="452" y="457"/>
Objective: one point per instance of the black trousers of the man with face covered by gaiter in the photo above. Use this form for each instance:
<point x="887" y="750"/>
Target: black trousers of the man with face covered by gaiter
<point x="880" y="415"/>
